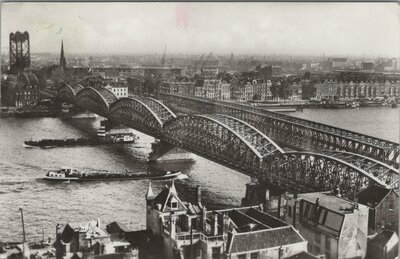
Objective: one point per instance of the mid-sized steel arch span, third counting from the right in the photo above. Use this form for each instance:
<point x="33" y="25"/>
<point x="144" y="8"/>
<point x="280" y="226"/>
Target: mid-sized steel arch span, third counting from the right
<point x="135" y="113"/>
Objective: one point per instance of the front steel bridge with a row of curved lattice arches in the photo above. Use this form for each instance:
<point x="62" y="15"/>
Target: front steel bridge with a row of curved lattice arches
<point x="239" y="145"/>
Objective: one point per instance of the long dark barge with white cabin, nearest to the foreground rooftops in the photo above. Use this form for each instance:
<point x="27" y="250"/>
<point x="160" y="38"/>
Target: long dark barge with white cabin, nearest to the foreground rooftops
<point x="67" y="174"/>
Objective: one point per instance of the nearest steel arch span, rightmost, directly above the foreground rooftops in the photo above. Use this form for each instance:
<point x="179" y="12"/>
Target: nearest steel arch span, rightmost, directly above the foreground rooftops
<point x="308" y="171"/>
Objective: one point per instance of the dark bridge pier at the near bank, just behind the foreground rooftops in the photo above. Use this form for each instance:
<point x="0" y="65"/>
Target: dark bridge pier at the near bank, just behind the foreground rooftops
<point x="269" y="197"/>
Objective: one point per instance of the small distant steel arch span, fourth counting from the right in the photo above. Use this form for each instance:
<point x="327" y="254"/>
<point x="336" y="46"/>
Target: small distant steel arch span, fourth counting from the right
<point x="96" y="100"/>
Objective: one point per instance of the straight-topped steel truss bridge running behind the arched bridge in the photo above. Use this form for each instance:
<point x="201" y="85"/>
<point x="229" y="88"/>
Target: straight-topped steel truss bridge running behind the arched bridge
<point x="291" y="131"/>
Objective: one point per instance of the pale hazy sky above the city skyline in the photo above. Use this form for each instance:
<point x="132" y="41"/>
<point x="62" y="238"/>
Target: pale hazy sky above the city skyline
<point x="243" y="28"/>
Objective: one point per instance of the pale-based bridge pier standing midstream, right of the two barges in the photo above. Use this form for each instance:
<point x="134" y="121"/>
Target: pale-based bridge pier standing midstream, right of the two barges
<point x="164" y="152"/>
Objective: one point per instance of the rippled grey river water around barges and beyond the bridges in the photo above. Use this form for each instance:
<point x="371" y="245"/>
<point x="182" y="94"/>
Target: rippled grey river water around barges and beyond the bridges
<point x="46" y="204"/>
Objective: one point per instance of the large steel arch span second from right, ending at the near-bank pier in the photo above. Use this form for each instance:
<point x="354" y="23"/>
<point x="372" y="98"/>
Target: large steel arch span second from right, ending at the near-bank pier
<point x="221" y="138"/>
